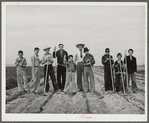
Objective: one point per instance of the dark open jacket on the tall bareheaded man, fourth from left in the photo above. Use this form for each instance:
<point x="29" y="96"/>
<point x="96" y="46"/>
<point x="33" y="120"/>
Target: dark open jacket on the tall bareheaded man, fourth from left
<point x="60" y="56"/>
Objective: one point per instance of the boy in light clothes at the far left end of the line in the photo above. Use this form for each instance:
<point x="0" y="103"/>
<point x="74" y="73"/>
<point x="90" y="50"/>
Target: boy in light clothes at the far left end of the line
<point x="21" y="73"/>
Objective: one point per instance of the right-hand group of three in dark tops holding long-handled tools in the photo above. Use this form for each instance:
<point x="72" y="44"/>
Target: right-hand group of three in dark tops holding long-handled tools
<point x="123" y="70"/>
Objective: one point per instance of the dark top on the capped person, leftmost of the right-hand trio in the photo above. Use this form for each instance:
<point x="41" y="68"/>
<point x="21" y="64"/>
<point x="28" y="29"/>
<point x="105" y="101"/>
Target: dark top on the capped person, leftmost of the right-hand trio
<point x="107" y="63"/>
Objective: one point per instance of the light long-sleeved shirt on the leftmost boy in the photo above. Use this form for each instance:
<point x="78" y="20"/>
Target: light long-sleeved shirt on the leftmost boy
<point x="20" y="63"/>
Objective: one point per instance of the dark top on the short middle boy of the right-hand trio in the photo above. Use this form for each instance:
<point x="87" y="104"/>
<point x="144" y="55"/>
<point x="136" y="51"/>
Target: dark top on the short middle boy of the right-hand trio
<point x="117" y="68"/>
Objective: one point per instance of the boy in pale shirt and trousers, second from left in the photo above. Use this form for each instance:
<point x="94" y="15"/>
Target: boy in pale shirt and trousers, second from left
<point x="35" y="85"/>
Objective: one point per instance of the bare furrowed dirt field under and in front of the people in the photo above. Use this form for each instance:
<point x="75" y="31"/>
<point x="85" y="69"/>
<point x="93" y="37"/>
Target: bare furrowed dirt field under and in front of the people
<point x="115" y="103"/>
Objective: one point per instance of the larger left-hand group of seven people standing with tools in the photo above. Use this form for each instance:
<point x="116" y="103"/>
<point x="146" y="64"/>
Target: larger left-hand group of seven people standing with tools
<point x="82" y="64"/>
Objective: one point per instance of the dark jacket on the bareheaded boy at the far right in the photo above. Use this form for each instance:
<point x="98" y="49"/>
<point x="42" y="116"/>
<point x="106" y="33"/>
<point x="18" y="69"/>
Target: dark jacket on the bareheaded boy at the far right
<point x="131" y="64"/>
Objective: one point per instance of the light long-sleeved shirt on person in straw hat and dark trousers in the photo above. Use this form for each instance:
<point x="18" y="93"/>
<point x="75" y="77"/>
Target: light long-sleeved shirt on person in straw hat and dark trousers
<point x="45" y="57"/>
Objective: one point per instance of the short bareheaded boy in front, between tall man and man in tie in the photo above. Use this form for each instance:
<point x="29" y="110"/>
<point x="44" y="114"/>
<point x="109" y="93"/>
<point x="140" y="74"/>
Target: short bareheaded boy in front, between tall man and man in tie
<point x="71" y="86"/>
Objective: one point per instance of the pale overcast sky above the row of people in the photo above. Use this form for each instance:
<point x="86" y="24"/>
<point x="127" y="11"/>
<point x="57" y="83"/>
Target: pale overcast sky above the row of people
<point x="98" y="27"/>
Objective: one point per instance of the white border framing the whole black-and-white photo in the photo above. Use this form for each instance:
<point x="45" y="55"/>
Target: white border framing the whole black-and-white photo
<point x="68" y="117"/>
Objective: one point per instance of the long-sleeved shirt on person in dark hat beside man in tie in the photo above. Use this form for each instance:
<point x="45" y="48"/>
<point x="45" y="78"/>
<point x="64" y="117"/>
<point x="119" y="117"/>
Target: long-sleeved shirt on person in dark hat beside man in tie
<point x="87" y="58"/>
